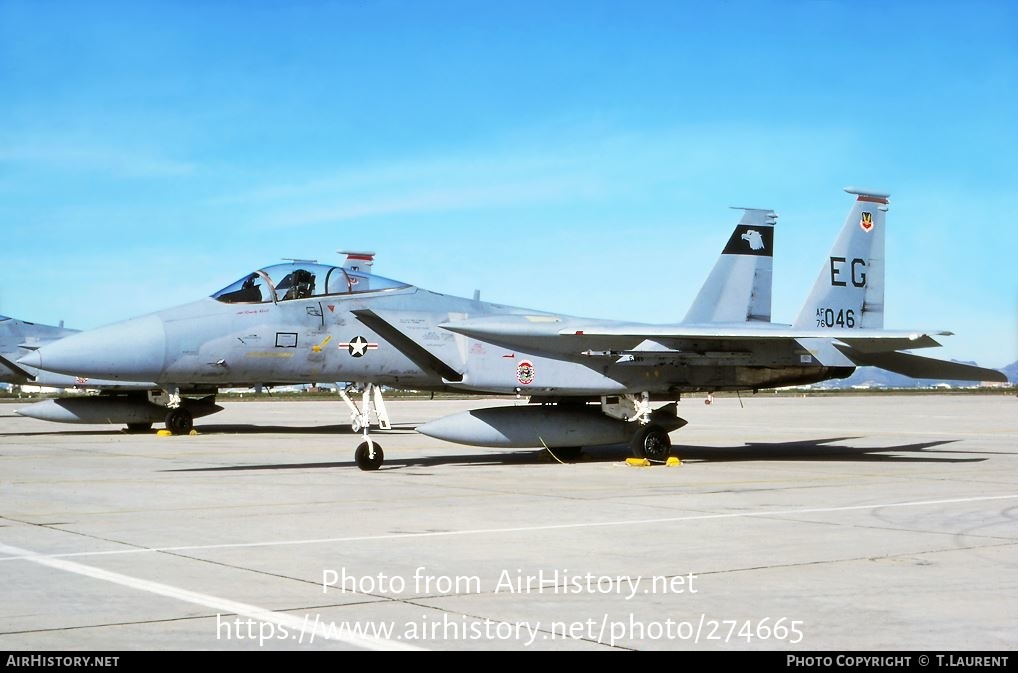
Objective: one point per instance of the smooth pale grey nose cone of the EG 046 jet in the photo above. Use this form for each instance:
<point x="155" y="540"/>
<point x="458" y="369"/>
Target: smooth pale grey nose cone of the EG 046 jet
<point x="133" y="351"/>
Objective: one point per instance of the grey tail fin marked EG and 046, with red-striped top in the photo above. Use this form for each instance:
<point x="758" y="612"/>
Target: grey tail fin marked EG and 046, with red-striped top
<point x="850" y="290"/>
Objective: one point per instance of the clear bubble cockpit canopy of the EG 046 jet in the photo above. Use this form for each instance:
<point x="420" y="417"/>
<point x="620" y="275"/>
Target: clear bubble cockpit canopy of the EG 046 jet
<point x="284" y="283"/>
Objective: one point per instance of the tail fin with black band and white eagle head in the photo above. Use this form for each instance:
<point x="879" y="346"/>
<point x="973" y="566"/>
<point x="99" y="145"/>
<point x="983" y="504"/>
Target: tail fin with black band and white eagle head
<point x="739" y="289"/>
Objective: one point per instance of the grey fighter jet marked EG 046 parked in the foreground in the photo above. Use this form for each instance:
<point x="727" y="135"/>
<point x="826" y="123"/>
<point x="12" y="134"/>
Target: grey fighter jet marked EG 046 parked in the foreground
<point x="590" y="381"/>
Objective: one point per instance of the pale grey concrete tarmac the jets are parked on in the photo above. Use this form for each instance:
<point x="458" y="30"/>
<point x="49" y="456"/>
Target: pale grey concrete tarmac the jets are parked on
<point x="815" y="524"/>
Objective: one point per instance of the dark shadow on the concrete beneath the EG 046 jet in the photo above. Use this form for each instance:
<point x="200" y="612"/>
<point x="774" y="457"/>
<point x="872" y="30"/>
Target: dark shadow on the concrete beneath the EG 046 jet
<point x="820" y="450"/>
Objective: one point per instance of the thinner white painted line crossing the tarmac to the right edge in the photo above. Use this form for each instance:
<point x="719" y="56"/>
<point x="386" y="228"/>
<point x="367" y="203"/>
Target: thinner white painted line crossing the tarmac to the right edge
<point x="514" y="530"/>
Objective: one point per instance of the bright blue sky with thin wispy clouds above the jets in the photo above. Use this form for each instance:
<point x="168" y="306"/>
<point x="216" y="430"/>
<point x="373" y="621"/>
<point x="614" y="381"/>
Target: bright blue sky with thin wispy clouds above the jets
<point x="577" y="157"/>
